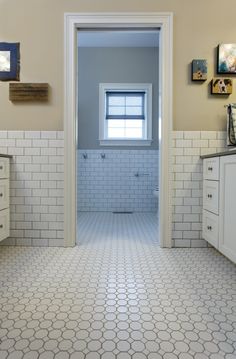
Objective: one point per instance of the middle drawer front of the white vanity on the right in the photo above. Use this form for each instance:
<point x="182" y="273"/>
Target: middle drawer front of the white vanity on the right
<point x="211" y="196"/>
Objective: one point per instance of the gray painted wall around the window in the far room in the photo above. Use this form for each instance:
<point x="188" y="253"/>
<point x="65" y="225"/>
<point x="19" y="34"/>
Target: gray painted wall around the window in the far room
<point x="118" y="65"/>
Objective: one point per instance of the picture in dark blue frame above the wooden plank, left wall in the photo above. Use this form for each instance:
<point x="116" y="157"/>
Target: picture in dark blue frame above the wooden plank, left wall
<point x="9" y="61"/>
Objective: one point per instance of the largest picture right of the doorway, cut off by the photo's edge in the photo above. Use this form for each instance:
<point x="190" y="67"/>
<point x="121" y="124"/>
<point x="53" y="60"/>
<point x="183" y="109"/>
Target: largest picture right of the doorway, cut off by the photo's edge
<point x="226" y="62"/>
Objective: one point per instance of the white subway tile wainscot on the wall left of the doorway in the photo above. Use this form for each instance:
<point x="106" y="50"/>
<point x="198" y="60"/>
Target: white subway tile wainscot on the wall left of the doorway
<point x="36" y="187"/>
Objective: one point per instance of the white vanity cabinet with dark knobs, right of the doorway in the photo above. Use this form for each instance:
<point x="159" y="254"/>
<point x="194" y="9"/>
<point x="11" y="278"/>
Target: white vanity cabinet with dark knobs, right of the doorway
<point x="219" y="203"/>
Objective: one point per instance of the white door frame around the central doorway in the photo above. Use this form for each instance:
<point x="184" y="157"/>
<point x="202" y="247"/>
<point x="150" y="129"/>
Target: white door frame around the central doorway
<point x="74" y="21"/>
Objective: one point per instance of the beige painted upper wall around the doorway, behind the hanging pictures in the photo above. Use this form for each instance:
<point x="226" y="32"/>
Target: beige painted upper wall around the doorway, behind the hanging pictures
<point x="38" y="25"/>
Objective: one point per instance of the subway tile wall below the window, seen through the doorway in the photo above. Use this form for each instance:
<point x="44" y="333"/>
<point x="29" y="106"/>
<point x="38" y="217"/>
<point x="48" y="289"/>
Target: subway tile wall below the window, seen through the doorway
<point x="123" y="180"/>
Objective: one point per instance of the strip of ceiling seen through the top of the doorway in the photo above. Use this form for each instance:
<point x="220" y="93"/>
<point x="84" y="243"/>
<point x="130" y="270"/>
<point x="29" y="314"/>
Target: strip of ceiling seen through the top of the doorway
<point x="118" y="38"/>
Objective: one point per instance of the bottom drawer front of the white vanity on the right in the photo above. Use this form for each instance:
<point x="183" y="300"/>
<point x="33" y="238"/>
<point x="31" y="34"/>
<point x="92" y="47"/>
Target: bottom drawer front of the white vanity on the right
<point x="210" y="225"/>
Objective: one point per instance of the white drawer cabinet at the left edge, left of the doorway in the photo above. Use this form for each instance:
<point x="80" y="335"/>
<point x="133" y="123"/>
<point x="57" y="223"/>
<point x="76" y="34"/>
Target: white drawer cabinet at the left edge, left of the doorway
<point x="4" y="198"/>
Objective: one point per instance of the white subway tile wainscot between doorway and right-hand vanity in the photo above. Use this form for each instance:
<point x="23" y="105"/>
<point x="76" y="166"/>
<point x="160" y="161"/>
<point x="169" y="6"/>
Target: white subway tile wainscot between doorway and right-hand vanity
<point x="187" y="183"/>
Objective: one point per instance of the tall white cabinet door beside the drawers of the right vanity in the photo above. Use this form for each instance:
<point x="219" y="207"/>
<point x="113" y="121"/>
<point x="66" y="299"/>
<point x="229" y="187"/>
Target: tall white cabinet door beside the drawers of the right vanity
<point x="227" y="232"/>
